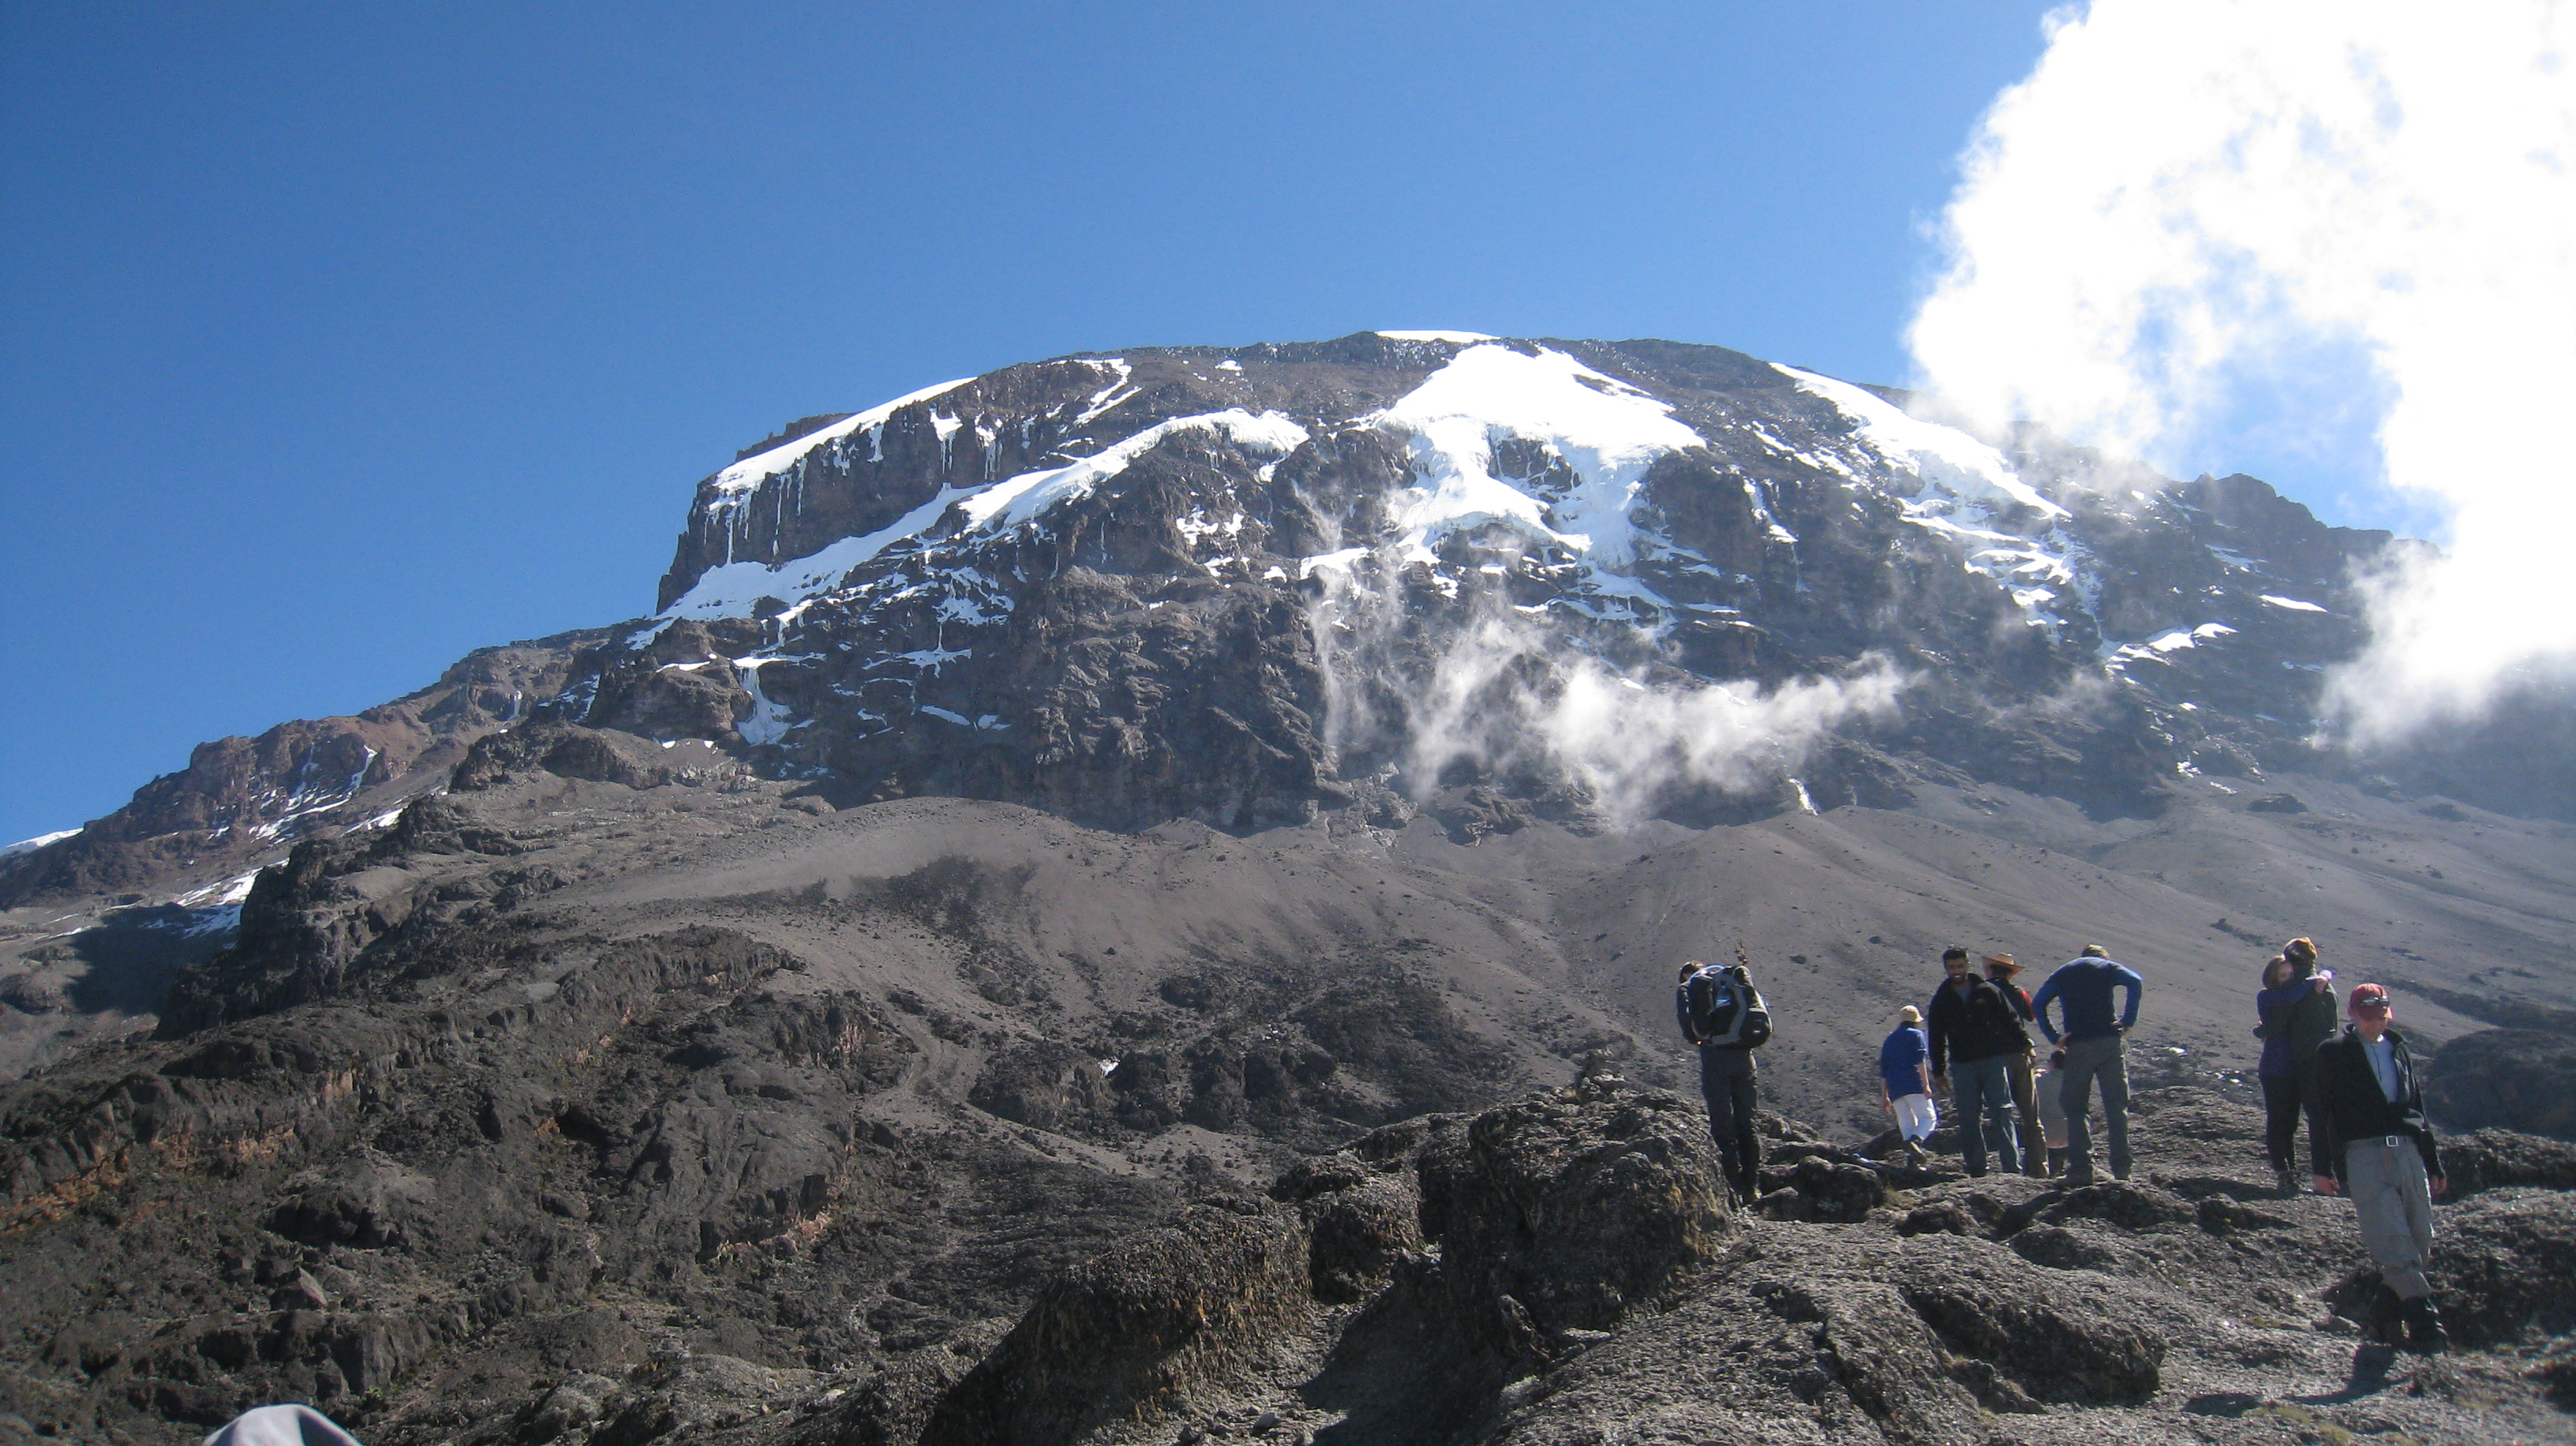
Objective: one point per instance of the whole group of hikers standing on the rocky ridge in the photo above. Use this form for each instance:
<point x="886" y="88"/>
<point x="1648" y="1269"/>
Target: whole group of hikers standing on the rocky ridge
<point x="2361" y="1089"/>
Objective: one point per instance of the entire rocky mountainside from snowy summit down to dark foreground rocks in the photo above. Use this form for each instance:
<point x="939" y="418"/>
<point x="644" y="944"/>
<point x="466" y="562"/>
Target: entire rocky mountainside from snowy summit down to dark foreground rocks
<point x="1075" y="849"/>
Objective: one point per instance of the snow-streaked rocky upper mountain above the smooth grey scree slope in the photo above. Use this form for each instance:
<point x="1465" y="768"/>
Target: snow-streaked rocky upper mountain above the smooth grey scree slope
<point x="1397" y="571"/>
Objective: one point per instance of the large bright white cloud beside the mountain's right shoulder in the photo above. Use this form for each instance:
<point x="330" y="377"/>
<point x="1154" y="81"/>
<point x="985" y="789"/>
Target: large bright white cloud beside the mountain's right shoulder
<point x="2191" y="200"/>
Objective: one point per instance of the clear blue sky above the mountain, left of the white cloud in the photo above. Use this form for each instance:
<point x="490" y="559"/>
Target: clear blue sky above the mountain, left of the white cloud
<point x="346" y="339"/>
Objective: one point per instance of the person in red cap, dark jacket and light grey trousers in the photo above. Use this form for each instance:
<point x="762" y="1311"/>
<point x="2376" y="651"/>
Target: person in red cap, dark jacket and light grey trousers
<point x="2384" y="1156"/>
